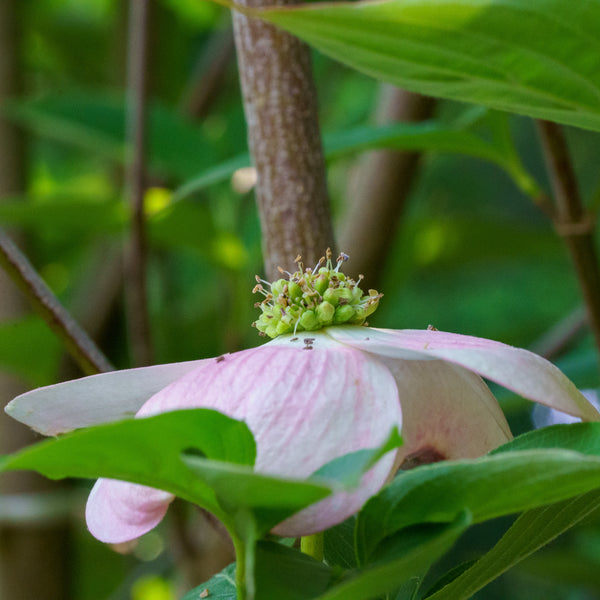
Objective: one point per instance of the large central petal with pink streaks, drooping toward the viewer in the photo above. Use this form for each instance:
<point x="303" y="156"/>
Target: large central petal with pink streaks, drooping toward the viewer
<point x="306" y="404"/>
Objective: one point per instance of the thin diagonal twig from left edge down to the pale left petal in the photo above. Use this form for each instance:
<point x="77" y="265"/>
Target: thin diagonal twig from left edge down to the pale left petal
<point x="78" y="343"/>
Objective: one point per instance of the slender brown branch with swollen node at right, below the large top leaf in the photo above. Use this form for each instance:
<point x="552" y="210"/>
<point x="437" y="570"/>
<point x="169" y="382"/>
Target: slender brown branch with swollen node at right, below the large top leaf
<point x="572" y="222"/>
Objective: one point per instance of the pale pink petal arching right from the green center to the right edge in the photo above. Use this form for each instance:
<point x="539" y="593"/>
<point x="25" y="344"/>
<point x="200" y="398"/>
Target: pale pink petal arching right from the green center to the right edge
<point x="521" y="371"/>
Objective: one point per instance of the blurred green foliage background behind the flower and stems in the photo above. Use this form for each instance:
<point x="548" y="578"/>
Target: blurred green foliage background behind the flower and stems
<point x="474" y="255"/>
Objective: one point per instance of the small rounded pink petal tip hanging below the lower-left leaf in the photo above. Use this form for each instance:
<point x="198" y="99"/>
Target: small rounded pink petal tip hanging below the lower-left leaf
<point x="118" y="511"/>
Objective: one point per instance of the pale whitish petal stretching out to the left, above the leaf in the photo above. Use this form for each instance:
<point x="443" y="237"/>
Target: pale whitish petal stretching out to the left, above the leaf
<point x="92" y="400"/>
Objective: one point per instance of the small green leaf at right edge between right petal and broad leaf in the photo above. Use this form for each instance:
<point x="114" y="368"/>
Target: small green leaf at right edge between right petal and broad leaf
<point x="581" y="437"/>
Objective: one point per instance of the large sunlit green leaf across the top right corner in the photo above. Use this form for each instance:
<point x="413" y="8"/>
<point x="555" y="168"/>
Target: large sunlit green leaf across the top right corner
<point x="533" y="58"/>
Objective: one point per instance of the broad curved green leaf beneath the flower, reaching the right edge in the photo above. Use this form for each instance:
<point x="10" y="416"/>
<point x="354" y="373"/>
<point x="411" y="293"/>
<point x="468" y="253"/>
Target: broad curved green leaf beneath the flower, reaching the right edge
<point x="488" y="487"/>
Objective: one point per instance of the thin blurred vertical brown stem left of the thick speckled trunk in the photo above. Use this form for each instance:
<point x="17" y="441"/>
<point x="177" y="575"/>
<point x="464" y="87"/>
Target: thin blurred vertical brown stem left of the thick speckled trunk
<point x="135" y="263"/>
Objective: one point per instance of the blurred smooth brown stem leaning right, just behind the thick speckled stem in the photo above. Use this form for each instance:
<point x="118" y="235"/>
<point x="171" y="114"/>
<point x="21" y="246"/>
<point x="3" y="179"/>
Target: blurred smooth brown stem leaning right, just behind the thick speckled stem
<point x="380" y="187"/>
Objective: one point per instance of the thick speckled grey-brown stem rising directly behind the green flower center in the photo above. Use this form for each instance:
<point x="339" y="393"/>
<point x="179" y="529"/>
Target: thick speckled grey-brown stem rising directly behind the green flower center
<point x="284" y="139"/>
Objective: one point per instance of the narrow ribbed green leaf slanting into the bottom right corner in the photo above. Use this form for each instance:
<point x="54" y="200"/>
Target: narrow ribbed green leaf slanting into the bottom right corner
<point x="530" y="532"/>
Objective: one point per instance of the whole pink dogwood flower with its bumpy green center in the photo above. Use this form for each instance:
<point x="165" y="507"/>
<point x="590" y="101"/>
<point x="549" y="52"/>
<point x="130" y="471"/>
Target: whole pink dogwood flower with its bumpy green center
<point x="311" y="397"/>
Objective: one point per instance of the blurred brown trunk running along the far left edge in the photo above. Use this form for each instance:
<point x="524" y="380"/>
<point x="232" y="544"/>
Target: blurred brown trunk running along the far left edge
<point x="33" y="550"/>
